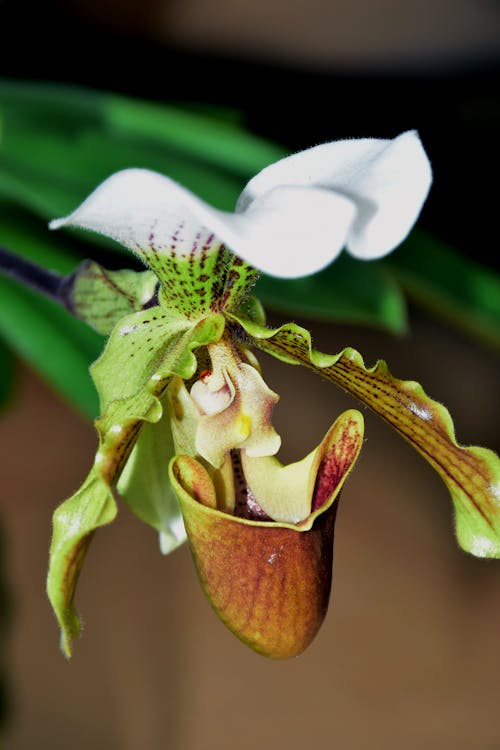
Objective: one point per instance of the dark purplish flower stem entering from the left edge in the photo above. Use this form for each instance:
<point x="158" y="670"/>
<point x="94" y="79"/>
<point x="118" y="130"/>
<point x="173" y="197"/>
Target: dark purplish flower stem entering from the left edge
<point x="50" y="283"/>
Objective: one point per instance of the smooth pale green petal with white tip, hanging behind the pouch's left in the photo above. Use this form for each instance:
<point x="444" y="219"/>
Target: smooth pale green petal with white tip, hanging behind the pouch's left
<point x="145" y="484"/>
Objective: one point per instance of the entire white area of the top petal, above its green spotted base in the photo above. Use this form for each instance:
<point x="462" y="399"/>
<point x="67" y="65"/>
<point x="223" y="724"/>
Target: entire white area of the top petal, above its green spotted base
<point x="292" y="219"/>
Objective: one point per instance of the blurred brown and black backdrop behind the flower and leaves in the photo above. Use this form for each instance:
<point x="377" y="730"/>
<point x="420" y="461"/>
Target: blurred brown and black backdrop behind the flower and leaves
<point x="408" y="656"/>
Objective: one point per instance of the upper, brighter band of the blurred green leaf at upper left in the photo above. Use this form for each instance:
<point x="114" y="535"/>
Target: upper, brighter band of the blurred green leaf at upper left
<point x="215" y="137"/>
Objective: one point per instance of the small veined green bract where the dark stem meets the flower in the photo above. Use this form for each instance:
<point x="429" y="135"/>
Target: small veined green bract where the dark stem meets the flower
<point x="101" y="298"/>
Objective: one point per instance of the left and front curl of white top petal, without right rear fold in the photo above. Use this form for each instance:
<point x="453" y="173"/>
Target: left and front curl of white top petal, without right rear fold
<point x="287" y="232"/>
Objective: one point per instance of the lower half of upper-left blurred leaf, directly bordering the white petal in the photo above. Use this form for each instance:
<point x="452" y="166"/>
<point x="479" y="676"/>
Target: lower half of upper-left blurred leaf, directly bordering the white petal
<point x="51" y="174"/>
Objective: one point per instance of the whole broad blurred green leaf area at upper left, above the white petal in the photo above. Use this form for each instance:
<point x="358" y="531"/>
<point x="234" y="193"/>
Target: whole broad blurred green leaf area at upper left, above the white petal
<point x="59" y="143"/>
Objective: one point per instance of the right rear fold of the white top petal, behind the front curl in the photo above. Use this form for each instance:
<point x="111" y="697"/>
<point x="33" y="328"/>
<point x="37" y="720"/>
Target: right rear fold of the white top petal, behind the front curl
<point x="388" y="180"/>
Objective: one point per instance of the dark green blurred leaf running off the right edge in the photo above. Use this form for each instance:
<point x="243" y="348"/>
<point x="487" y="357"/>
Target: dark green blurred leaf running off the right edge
<point x="449" y="285"/>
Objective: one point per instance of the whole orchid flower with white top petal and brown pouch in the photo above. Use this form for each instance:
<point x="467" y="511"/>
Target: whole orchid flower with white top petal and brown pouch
<point x="185" y="432"/>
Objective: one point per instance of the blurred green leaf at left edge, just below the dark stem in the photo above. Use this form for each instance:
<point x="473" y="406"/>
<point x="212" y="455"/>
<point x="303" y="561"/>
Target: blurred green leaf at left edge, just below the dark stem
<point x="55" y="344"/>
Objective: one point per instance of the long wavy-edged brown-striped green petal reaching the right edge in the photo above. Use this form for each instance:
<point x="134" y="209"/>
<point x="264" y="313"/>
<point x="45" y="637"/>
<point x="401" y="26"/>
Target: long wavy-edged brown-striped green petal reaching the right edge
<point x="472" y="474"/>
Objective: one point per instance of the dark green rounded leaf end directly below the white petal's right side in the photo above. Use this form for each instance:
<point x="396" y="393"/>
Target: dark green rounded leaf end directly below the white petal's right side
<point x="348" y="291"/>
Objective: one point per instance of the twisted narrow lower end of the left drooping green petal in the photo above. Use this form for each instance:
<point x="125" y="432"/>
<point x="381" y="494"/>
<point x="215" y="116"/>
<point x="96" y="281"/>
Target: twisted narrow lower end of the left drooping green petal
<point x="74" y="524"/>
